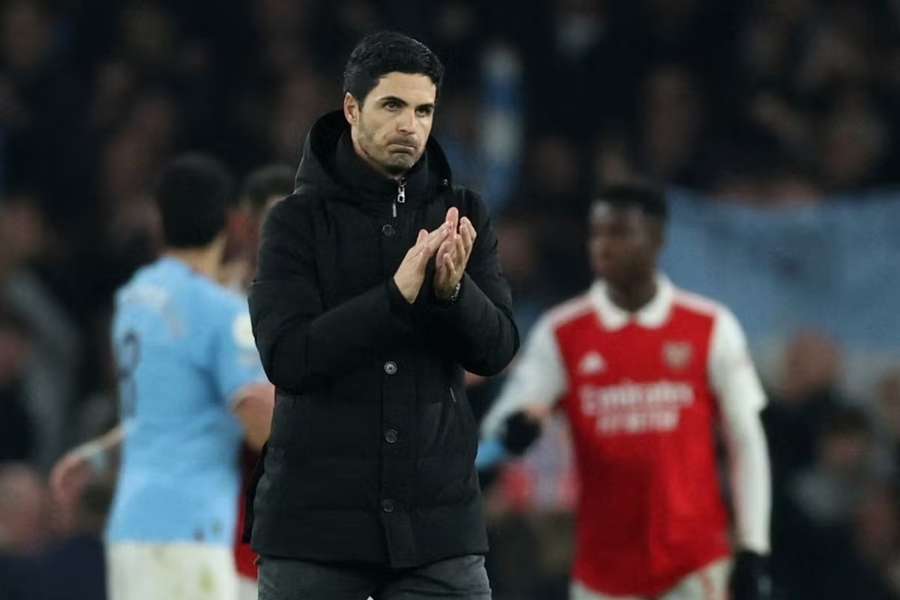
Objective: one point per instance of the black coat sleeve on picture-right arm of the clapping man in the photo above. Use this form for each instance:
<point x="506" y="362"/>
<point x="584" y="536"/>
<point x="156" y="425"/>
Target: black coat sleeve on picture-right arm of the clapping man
<point x="479" y="326"/>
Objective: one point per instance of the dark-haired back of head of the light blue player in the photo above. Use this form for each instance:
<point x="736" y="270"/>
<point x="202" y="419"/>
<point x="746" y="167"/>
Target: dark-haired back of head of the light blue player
<point x="194" y="194"/>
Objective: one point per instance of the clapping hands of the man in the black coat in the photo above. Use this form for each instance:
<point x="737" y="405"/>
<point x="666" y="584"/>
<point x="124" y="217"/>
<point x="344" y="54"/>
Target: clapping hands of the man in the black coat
<point x="450" y="245"/>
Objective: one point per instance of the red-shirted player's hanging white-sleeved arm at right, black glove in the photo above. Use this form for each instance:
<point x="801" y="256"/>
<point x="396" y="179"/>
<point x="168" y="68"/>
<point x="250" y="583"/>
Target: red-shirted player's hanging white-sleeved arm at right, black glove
<point x="741" y="398"/>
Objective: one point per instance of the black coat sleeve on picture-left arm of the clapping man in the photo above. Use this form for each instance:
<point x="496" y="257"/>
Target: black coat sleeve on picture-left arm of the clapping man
<point x="299" y="342"/>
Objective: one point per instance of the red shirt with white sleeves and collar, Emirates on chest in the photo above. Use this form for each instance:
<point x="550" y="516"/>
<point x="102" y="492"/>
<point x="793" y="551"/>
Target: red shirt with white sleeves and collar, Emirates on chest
<point x="644" y="393"/>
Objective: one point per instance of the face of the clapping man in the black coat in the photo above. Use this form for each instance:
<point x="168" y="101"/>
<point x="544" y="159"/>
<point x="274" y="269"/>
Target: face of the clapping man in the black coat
<point x="391" y="127"/>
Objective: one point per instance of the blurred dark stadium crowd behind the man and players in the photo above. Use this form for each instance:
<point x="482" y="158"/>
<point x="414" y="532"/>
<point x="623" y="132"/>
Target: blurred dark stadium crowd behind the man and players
<point x="774" y="124"/>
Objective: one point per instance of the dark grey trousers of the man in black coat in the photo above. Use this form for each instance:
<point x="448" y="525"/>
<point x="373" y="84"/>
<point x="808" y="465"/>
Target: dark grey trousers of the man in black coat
<point x="288" y="579"/>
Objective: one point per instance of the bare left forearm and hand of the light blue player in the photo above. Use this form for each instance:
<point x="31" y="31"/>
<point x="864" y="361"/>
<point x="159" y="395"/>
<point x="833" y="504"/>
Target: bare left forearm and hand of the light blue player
<point x="78" y="466"/>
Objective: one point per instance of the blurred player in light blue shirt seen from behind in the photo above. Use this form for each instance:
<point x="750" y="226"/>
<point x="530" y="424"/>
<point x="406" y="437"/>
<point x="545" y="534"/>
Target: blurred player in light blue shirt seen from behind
<point x="191" y="389"/>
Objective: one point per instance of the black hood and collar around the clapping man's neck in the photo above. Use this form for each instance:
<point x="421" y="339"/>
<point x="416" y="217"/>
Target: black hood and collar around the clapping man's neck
<point x="330" y="166"/>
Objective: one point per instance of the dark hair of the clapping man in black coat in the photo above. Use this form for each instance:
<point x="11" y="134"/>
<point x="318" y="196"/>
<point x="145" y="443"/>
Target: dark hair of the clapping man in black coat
<point x="385" y="52"/>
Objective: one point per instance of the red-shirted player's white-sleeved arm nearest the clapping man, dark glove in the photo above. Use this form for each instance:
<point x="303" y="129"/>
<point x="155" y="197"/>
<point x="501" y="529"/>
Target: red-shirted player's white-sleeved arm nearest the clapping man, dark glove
<point x="535" y="383"/>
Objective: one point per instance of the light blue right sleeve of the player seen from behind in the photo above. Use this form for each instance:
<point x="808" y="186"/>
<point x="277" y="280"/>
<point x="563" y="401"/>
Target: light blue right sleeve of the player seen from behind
<point x="237" y="363"/>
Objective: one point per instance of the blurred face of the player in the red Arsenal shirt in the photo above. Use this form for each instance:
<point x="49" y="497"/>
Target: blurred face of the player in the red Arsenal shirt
<point x="623" y="243"/>
